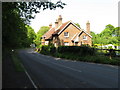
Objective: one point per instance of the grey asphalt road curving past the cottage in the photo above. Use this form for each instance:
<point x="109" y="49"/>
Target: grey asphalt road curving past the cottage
<point x="50" y="72"/>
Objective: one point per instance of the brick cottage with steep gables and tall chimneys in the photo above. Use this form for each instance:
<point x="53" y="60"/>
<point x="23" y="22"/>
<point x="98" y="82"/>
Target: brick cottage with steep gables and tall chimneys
<point x="67" y="34"/>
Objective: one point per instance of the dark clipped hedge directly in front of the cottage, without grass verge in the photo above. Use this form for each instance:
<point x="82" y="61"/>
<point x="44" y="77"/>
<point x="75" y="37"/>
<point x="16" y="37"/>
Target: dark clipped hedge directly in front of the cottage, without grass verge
<point x="79" y="50"/>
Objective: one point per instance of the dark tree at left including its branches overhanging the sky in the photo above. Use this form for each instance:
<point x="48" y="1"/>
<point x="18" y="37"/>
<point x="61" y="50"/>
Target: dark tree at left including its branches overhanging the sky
<point x="16" y="15"/>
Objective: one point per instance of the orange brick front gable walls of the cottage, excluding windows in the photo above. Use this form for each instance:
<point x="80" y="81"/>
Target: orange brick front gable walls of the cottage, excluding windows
<point x="72" y="30"/>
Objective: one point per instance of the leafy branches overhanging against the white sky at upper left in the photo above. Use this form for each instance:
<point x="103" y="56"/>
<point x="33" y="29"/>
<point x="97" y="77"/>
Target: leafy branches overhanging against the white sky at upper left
<point x="26" y="9"/>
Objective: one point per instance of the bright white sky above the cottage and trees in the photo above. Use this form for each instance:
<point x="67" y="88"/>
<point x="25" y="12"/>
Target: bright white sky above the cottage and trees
<point x="99" y="13"/>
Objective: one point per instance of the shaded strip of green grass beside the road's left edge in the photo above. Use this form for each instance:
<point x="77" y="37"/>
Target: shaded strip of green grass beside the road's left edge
<point x="17" y="63"/>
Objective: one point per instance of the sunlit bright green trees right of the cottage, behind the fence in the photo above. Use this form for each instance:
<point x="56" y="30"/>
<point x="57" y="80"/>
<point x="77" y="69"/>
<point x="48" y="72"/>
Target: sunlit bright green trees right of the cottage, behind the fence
<point x="110" y="35"/>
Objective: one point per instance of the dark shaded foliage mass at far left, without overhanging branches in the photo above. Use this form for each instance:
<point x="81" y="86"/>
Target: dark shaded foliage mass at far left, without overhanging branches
<point x="14" y="31"/>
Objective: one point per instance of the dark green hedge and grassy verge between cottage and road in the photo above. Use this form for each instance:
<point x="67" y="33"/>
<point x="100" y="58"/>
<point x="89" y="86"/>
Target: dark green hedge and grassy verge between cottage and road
<point x="79" y="53"/>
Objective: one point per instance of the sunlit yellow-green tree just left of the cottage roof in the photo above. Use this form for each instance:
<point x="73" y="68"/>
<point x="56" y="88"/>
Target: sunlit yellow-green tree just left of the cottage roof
<point x="41" y="32"/>
